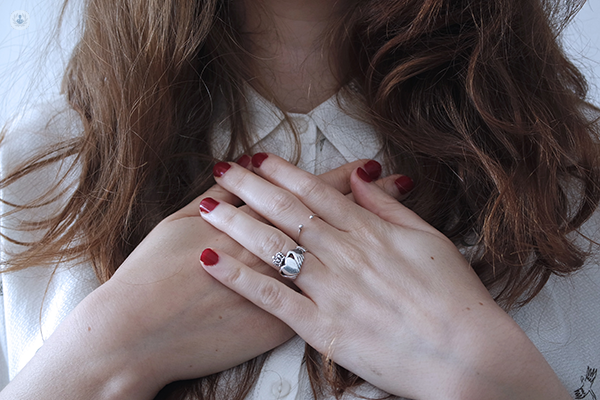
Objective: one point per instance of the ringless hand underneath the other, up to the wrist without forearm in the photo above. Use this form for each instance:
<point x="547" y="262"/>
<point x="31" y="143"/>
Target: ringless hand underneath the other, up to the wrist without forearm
<point x="196" y="323"/>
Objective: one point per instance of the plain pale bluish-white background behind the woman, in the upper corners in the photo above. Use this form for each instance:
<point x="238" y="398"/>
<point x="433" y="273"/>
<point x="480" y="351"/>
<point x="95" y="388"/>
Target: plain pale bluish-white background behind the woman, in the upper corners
<point x="32" y="56"/>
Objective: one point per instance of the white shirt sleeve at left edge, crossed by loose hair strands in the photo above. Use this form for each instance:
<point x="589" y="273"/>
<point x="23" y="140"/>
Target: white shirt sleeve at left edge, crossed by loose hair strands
<point x="33" y="304"/>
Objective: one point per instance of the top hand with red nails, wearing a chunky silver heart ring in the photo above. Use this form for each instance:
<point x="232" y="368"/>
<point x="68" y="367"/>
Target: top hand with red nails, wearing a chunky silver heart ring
<point x="384" y="294"/>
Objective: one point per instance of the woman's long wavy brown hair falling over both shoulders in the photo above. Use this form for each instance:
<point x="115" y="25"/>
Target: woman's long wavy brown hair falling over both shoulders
<point x="474" y="99"/>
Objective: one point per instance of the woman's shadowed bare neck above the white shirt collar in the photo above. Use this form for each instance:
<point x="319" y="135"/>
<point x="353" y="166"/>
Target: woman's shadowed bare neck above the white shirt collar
<point x="289" y="56"/>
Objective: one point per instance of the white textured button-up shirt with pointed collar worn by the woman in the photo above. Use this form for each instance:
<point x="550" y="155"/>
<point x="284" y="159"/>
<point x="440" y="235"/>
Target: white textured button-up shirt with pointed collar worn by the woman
<point x="563" y="320"/>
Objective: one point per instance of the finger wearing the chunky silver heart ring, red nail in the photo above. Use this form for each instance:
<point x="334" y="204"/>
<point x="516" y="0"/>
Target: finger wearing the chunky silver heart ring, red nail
<point x="264" y="242"/>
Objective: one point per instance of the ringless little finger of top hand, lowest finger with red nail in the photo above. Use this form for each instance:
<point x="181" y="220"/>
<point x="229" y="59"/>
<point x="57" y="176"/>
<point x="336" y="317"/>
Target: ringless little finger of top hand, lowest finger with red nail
<point x="267" y="293"/>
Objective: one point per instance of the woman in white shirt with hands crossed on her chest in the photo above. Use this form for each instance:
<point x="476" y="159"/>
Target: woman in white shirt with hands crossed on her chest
<point x="473" y="100"/>
